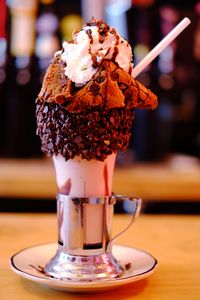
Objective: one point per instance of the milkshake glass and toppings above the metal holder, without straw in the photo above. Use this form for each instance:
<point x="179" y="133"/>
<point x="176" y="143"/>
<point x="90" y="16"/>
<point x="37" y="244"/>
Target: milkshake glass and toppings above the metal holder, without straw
<point x="85" y="108"/>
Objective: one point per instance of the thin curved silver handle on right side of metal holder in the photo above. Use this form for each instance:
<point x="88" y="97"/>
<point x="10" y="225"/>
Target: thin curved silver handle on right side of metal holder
<point x="138" y="204"/>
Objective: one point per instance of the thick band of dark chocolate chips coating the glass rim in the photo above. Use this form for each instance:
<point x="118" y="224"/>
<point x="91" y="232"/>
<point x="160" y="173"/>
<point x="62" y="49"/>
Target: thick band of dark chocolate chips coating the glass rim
<point x="83" y="134"/>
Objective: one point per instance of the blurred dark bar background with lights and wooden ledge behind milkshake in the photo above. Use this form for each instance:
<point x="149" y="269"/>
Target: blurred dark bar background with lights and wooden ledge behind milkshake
<point x="165" y="140"/>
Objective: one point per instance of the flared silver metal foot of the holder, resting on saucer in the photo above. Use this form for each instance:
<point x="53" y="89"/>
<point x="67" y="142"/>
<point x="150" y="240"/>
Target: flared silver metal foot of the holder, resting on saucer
<point x="83" y="268"/>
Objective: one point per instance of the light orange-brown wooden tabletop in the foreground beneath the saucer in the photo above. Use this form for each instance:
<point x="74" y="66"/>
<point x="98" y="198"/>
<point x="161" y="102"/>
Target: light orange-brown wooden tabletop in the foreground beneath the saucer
<point x="173" y="240"/>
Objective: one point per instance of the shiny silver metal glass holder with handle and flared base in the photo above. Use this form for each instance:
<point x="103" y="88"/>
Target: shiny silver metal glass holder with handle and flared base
<point x="84" y="238"/>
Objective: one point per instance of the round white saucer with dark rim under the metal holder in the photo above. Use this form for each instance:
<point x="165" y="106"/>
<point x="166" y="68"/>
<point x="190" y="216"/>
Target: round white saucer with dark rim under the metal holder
<point x="142" y="265"/>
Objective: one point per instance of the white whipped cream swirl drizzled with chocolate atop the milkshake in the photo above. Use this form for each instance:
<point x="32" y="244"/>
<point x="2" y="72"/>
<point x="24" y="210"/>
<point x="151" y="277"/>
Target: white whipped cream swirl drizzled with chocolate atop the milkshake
<point x="89" y="48"/>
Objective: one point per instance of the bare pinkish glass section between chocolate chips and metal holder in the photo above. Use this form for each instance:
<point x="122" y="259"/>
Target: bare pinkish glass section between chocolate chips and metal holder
<point x="82" y="178"/>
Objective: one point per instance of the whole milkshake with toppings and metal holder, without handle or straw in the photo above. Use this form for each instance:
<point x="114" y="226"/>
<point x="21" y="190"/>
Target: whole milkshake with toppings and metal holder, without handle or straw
<point x="85" y="111"/>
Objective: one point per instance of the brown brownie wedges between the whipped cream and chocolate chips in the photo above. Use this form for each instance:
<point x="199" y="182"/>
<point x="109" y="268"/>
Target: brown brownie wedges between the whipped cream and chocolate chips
<point x="110" y="86"/>
